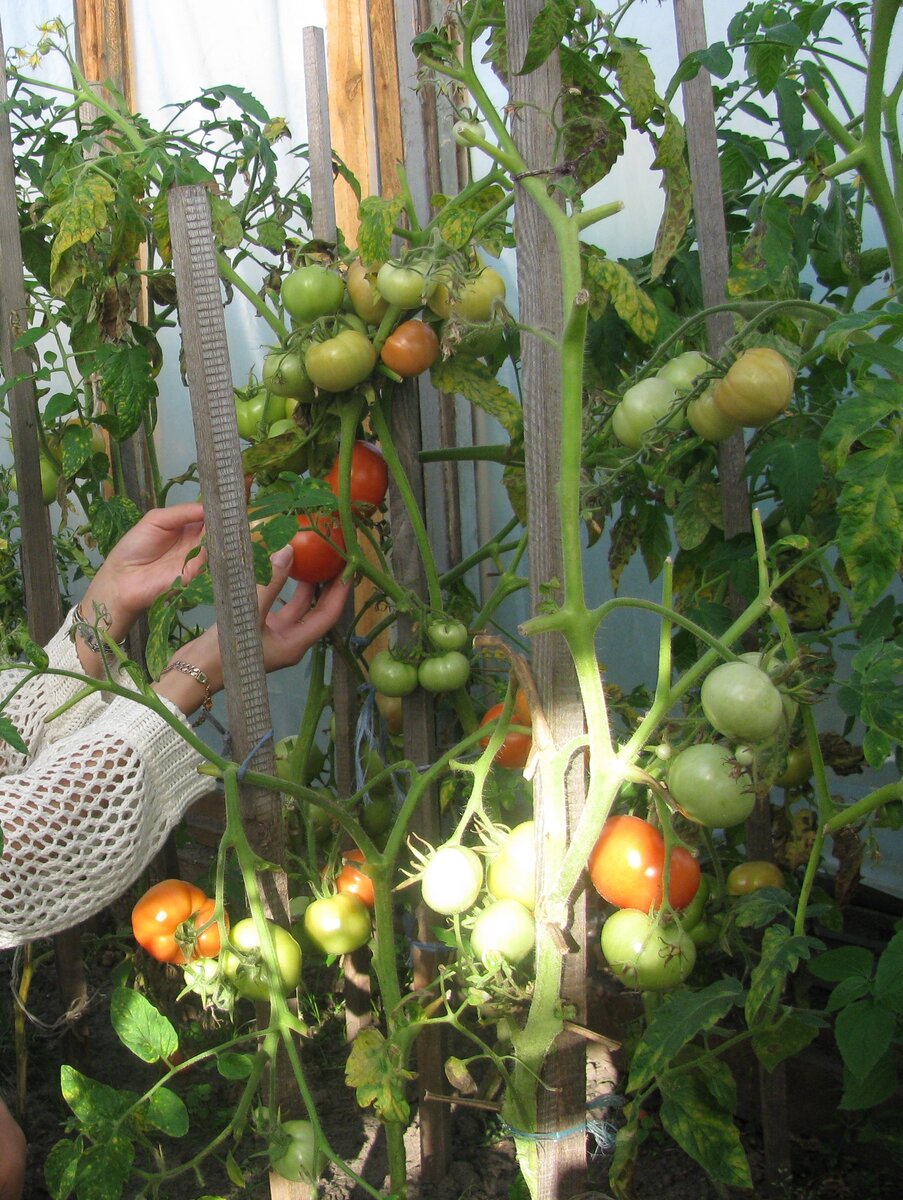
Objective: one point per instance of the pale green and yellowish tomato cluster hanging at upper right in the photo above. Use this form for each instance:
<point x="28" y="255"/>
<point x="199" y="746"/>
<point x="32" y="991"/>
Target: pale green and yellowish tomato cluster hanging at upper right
<point x="757" y="388"/>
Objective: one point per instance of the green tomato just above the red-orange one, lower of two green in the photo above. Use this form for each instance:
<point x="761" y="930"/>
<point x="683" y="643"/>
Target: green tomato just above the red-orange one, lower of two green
<point x="709" y="787"/>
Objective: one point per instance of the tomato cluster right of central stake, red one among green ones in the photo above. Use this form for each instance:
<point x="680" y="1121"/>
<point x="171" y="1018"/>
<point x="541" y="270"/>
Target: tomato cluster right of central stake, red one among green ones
<point x="651" y="946"/>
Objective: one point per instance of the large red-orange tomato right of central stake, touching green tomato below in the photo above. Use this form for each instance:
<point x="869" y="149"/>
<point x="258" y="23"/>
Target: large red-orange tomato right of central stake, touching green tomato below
<point x="627" y="865"/>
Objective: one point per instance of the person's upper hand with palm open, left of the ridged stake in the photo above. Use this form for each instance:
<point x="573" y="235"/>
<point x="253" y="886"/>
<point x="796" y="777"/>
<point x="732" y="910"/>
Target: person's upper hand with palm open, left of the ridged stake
<point x="145" y="563"/>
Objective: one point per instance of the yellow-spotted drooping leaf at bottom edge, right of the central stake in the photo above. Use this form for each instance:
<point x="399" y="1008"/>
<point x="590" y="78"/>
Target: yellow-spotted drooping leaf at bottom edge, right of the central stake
<point x="704" y="1130"/>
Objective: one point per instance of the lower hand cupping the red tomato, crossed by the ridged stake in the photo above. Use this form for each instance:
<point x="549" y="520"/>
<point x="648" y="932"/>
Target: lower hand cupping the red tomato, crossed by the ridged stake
<point x="288" y="633"/>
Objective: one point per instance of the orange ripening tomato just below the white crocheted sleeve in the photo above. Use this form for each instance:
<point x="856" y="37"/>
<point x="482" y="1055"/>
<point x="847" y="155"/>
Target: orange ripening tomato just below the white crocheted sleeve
<point x="158" y="916"/>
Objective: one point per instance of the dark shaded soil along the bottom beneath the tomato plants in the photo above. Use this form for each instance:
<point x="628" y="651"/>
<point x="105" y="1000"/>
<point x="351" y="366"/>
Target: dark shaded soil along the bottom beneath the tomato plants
<point x="483" y="1166"/>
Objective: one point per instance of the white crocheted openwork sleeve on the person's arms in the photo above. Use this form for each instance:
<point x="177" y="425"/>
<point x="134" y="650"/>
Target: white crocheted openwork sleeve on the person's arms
<point x="89" y="807"/>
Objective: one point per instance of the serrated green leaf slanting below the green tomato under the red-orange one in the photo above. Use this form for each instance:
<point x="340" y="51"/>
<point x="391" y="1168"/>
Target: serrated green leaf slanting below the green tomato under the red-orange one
<point x="675" y="1024"/>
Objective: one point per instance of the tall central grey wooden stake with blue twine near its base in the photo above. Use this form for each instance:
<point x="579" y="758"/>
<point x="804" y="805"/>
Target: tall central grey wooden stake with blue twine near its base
<point x="561" y="1105"/>
